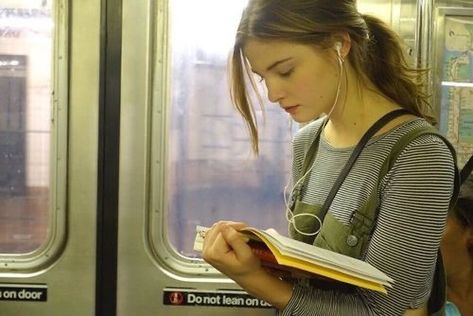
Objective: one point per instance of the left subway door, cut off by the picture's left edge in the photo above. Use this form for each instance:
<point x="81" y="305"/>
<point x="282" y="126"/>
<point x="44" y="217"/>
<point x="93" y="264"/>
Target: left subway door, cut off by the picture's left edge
<point x="49" y="93"/>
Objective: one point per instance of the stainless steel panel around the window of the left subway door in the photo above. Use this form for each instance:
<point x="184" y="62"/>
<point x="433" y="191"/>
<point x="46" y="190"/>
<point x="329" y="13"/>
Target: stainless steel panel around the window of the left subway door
<point x="71" y="279"/>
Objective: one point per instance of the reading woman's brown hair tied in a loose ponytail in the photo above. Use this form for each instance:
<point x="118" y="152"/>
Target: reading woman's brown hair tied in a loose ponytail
<point x="376" y="52"/>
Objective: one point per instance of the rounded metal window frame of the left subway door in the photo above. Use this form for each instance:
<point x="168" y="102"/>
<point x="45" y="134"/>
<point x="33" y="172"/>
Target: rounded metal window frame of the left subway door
<point x="48" y="252"/>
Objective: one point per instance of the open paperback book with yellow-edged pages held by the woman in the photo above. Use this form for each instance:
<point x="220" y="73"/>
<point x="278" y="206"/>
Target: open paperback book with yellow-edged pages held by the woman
<point x="283" y="253"/>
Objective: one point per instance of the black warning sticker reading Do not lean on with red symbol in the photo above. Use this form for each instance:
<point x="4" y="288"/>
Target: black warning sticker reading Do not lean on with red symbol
<point x="221" y="298"/>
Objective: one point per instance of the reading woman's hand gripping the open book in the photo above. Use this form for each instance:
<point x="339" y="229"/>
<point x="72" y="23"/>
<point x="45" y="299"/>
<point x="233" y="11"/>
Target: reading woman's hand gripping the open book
<point x="227" y="250"/>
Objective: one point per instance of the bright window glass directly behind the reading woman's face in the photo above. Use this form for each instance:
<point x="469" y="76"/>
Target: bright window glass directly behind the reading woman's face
<point x="212" y="173"/>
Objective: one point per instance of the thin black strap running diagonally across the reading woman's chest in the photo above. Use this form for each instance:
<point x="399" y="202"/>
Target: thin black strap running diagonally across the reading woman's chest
<point x="356" y="152"/>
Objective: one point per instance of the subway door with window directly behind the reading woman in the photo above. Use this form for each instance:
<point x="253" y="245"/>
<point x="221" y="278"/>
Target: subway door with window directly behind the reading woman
<point x="185" y="159"/>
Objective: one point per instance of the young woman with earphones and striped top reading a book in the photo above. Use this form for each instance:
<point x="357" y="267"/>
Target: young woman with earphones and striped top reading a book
<point x="321" y="57"/>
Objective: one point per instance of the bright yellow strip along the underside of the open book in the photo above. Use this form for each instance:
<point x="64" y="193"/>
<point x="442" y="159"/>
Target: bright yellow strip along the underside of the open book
<point x="323" y="271"/>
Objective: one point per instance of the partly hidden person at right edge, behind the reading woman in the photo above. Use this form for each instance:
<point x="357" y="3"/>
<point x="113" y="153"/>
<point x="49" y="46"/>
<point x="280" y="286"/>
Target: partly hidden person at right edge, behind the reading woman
<point x="457" y="249"/>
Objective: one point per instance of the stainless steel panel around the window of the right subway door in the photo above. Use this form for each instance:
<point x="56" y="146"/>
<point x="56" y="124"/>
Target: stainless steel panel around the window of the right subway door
<point x="142" y="273"/>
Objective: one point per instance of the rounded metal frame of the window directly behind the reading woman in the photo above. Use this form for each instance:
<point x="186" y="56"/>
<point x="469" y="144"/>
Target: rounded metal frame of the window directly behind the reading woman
<point x="156" y="228"/>
